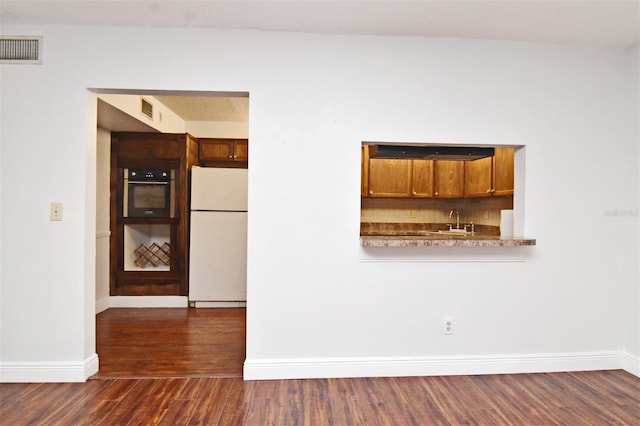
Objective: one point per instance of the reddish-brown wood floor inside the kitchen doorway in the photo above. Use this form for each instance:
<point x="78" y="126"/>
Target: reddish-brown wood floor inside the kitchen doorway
<point x="164" y="342"/>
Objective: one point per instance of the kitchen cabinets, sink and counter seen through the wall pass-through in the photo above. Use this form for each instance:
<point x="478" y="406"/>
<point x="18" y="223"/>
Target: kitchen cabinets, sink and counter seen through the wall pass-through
<point x="437" y="195"/>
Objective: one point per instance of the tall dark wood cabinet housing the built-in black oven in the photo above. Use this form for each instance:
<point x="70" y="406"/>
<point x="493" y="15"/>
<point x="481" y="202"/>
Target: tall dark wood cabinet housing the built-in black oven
<point x="149" y="255"/>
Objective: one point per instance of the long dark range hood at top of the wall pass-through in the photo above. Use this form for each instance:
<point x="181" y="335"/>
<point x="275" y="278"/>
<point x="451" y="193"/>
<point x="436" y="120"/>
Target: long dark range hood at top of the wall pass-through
<point x="417" y="152"/>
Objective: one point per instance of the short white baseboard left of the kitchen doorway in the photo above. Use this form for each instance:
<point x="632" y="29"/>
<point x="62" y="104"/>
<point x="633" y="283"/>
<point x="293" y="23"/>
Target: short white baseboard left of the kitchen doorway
<point x="55" y="371"/>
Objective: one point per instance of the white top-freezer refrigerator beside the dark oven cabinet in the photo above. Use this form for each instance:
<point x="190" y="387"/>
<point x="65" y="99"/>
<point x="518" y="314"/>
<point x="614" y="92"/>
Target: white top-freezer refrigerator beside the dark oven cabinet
<point x="218" y="237"/>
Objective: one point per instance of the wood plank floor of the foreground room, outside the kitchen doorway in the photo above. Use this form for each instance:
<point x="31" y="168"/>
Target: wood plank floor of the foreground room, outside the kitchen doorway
<point x="580" y="398"/>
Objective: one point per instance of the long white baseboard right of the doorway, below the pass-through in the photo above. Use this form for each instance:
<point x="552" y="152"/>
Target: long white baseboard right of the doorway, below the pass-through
<point x="270" y="369"/>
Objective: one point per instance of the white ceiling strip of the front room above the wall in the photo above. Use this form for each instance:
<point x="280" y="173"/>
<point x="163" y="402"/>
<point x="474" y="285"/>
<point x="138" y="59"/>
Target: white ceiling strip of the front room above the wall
<point x="608" y="23"/>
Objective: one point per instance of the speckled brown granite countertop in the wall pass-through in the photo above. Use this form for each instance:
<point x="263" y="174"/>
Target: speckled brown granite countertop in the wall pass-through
<point x="434" y="235"/>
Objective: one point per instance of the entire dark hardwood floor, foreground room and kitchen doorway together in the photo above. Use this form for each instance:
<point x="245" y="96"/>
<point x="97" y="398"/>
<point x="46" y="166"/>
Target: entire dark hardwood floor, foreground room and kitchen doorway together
<point x="168" y="392"/>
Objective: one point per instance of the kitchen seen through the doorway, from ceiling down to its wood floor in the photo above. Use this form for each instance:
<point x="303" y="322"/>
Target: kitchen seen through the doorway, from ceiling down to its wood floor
<point x="171" y="233"/>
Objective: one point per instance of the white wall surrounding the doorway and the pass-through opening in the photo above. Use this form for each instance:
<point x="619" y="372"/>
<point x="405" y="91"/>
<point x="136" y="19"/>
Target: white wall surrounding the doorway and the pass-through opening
<point x="314" y="307"/>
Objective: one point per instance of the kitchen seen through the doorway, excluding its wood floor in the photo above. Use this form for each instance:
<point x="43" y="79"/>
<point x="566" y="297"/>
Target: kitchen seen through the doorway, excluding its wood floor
<point x="176" y="221"/>
